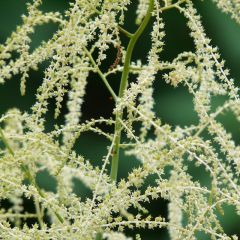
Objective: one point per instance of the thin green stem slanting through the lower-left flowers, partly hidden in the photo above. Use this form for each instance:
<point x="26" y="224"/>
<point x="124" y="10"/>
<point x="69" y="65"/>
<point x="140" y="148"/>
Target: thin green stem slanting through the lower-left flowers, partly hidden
<point x="27" y="172"/>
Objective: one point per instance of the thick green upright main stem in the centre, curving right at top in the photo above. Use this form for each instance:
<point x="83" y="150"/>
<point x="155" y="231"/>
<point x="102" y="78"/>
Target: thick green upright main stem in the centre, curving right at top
<point x="123" y="85"/>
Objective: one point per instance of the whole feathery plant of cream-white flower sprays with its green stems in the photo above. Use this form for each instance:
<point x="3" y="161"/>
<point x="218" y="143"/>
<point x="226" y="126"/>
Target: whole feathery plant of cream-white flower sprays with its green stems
<point x="86" y="31"/>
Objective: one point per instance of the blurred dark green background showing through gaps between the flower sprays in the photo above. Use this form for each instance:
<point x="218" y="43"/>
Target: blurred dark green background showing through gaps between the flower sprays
<point x="173" y="105"/>
